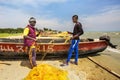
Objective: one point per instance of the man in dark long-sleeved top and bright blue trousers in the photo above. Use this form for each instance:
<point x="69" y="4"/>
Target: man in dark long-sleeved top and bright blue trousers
<point x="77" y="31"/>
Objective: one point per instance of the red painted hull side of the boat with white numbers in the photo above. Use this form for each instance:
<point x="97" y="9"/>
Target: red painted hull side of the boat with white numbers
<point x="84" y="47"/>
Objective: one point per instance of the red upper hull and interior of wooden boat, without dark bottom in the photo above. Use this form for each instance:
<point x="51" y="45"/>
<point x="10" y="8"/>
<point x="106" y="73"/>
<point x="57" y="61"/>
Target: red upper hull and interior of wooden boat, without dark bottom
<point x="48" y="45"/>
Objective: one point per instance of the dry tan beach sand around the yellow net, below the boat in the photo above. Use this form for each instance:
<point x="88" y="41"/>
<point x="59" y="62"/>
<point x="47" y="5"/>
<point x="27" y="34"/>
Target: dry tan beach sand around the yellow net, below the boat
<point x="86" y="70"/>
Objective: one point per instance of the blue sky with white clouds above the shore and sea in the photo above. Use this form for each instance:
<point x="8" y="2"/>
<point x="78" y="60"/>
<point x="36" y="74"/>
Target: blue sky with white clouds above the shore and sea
<point x="95" y="15"/>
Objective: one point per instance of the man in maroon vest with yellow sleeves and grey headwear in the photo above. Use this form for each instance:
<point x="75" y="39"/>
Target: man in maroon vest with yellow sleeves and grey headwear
<point x="30" y="40"/>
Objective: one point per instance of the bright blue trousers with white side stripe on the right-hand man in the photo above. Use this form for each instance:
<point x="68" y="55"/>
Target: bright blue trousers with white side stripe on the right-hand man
<point x="73" y="47"/>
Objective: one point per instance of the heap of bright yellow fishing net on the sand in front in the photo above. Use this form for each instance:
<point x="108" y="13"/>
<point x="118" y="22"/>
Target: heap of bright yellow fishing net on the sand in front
<point x="47" y="72"/>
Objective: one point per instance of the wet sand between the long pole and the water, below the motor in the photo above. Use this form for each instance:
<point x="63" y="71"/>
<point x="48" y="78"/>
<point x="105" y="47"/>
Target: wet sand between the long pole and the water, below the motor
<point x="110" y="60"/>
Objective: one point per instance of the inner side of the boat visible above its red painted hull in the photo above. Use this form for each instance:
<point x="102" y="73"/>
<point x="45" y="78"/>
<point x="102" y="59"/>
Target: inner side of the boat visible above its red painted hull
<point x="43" y="40"/>
